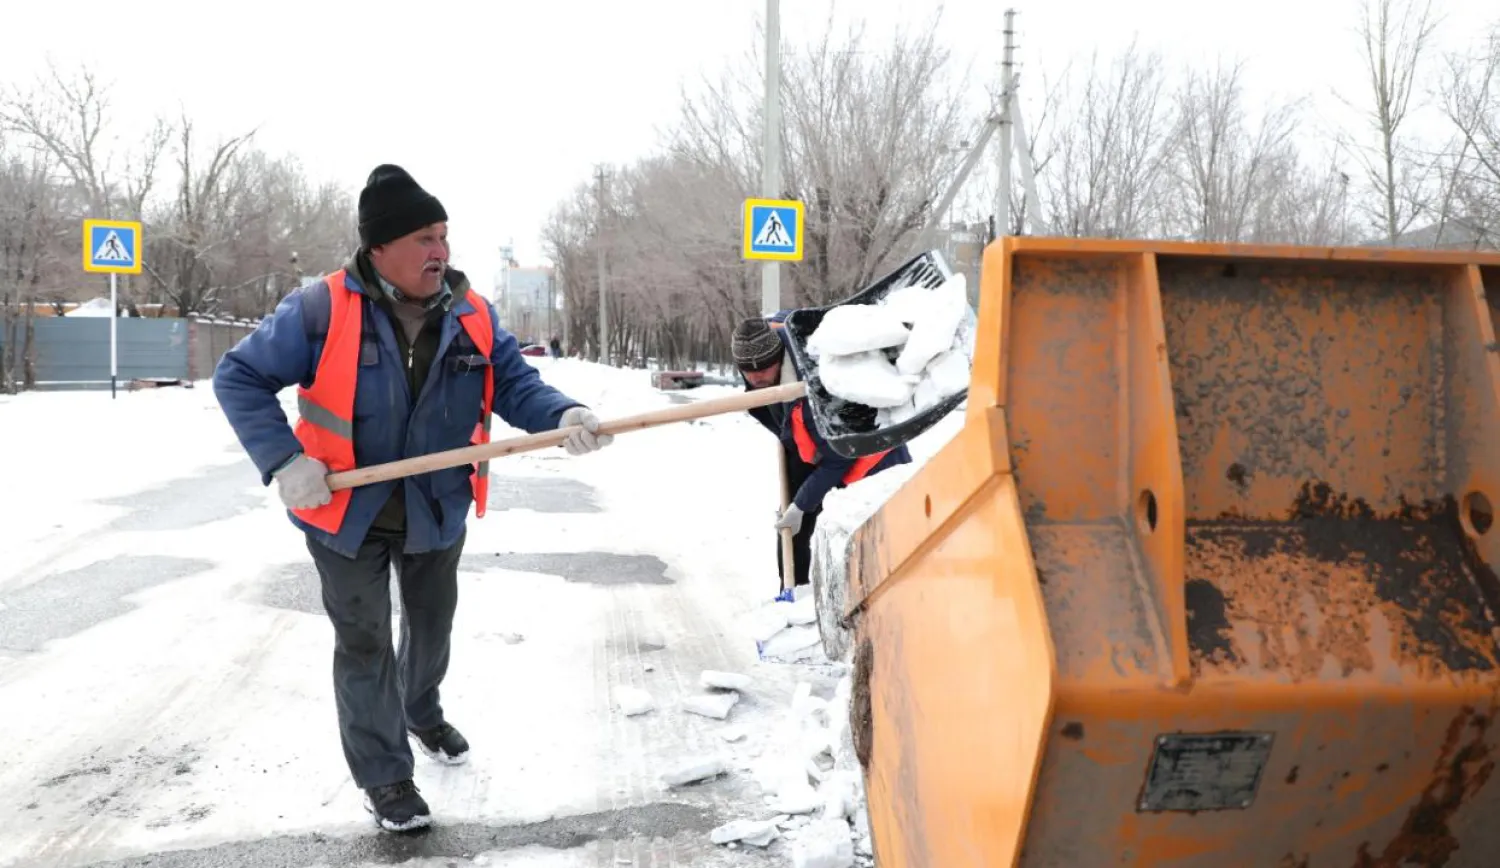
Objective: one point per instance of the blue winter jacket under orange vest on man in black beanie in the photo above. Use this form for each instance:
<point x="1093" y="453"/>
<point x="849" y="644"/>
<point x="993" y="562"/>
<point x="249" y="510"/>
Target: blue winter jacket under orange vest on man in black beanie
<point x="286" y="350"/>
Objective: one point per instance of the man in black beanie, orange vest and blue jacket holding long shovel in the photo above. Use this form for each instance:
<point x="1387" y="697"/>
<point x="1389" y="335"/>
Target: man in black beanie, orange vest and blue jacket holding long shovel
<point x="394" y="356"/>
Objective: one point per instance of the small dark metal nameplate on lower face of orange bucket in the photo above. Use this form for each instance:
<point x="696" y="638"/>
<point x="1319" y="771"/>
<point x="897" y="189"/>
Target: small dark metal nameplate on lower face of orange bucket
<point x="1205" y="773"/>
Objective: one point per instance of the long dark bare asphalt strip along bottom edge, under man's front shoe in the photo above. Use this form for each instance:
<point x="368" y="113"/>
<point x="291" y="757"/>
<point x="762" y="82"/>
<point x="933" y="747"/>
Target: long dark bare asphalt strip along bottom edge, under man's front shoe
<point x="442" y="842"/>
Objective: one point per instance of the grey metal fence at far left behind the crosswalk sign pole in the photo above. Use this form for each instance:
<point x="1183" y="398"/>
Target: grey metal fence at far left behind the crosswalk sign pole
<point x="74" y="353"/>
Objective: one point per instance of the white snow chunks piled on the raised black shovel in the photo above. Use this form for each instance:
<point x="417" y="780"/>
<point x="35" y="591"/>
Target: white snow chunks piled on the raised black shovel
<point x="901" y="356"/>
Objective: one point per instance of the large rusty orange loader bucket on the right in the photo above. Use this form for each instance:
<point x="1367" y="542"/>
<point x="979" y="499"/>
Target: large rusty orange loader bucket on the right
<point x="1208" y="576"/>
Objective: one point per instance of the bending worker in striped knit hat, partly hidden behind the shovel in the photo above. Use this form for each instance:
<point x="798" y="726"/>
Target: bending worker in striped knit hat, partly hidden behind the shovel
<point x="812" y="468"/>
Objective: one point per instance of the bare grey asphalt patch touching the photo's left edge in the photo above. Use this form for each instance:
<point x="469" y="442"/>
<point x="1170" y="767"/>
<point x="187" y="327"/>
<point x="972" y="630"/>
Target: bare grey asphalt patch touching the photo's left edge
<point x="73" y="602"/>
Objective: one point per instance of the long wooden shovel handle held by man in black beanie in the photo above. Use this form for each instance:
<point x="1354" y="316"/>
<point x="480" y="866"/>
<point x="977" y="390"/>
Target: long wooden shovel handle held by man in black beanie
<point x="553" y="438"/>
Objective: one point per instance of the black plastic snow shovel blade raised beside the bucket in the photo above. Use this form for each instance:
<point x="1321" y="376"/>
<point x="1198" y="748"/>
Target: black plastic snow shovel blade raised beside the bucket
<point x="851" y="428"/>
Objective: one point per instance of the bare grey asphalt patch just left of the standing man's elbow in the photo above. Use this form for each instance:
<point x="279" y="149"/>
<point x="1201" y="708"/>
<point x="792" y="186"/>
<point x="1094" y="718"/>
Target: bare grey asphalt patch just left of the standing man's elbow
<point x="209" y="495"/>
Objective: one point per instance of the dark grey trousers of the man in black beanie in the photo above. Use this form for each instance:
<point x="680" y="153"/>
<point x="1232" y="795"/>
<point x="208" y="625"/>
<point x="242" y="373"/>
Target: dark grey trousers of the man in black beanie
<point x="382" y="690"/>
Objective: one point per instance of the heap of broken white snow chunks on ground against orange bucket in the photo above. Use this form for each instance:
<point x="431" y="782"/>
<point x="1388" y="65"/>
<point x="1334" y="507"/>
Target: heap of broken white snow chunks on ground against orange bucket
<point x="814" y="783"/>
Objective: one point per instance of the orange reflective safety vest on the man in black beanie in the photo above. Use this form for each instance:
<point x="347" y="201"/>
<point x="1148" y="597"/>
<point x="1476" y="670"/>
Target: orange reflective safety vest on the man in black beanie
<point x="326" y="428"/>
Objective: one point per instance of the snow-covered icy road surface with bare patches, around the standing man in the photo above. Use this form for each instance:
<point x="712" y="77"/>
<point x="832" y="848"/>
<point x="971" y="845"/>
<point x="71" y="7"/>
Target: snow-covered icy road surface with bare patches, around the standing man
<point x="166" y="662"/>
